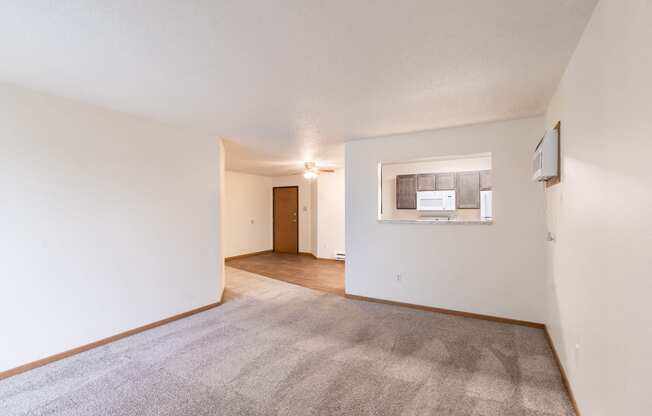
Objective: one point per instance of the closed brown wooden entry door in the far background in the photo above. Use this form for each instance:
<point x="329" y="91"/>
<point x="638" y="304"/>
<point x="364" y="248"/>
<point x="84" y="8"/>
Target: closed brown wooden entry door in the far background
<point x="286" y="219"/>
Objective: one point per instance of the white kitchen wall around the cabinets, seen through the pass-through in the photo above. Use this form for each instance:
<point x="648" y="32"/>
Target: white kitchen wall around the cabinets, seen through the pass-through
<point x="390" y="170"/>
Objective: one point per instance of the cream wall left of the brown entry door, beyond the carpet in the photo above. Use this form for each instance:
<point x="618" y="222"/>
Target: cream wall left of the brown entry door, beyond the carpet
<point x="248" y="214"/>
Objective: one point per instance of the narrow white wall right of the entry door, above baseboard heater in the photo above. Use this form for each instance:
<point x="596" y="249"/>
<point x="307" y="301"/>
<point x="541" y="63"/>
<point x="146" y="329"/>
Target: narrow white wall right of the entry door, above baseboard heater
<point x="330" y="212"/>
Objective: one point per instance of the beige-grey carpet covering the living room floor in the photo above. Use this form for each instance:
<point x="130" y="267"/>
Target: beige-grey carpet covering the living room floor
<point x="278" y="349"/>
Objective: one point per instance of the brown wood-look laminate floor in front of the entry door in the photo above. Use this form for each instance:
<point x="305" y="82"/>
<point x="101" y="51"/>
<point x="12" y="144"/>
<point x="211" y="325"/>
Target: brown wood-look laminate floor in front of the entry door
<point x="302" y="270"/>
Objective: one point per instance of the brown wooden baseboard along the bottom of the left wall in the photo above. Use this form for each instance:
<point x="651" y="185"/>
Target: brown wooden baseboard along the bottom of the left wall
<point x="69" y="353"/>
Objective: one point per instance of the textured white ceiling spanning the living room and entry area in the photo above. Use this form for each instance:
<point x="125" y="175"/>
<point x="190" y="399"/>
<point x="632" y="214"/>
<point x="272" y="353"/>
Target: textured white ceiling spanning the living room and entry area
<point x="290" y="80"/>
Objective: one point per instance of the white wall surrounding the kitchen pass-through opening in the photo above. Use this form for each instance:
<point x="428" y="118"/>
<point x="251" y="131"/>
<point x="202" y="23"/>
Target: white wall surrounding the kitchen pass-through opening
<point x="489" y="269"/>
